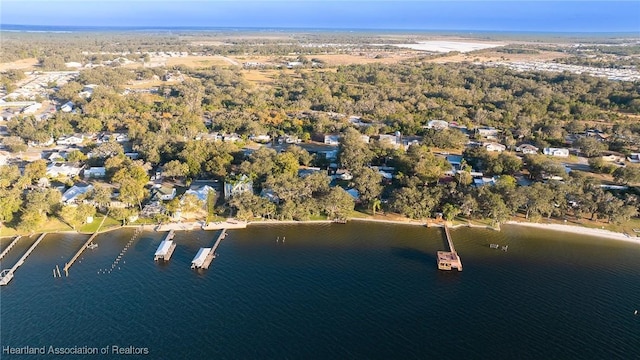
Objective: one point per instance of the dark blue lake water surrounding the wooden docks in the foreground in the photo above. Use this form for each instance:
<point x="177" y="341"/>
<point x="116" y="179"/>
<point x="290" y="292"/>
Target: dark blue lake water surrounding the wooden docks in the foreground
<point x="331" y="291"/>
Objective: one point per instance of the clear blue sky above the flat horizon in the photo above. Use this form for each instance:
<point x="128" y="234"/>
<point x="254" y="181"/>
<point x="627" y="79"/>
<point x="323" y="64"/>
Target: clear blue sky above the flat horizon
<point x="514" y="15"/>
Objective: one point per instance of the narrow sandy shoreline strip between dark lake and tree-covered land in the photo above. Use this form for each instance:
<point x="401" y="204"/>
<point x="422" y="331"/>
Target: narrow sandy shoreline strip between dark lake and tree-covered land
<point x="236" y="224"/>
